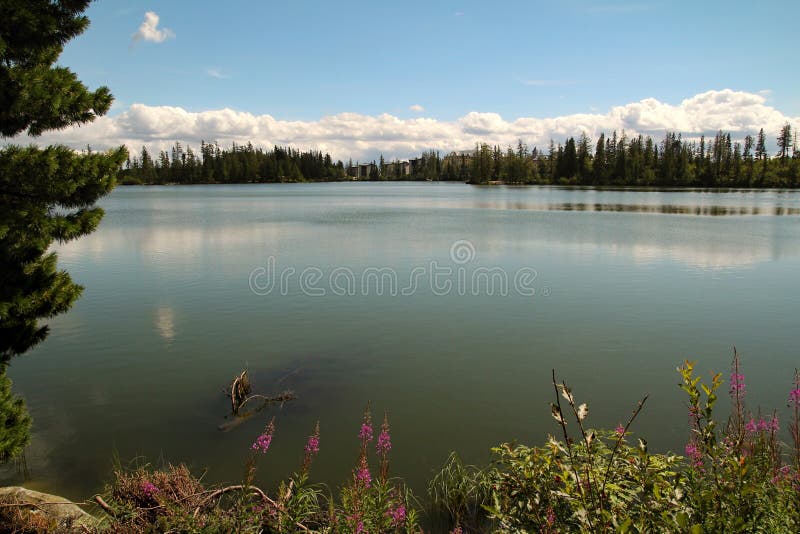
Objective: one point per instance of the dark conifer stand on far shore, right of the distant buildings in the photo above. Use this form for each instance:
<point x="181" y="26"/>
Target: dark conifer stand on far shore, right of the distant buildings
<point x="639" y="161"/>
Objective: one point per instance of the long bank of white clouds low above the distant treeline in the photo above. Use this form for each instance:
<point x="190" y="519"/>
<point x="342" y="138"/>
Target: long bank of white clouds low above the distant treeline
<point x="359" y="136"/>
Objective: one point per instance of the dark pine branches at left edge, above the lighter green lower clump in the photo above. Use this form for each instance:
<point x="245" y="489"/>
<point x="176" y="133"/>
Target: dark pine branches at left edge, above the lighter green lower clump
<point x="45" y="194"/>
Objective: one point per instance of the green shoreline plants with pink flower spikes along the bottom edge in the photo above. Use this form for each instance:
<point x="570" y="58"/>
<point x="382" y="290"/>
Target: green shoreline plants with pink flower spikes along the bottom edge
<point x="732" y="477"/>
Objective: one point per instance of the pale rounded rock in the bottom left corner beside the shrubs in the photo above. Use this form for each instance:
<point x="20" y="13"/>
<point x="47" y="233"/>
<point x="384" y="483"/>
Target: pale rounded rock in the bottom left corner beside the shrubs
<point x="43" y="512"/>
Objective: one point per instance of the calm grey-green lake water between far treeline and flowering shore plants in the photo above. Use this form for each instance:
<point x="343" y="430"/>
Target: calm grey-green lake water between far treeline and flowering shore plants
<point x="612" y="288"/>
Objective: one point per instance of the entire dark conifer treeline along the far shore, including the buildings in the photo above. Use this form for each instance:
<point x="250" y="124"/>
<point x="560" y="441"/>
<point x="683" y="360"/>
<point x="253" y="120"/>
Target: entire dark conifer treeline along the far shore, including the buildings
<point x="615" y="160"/>
